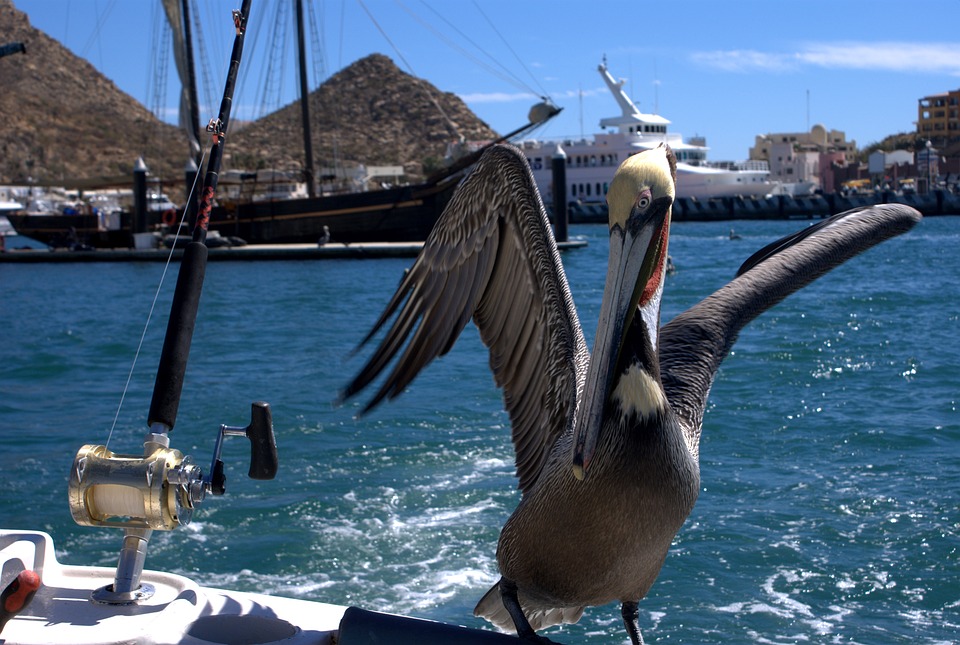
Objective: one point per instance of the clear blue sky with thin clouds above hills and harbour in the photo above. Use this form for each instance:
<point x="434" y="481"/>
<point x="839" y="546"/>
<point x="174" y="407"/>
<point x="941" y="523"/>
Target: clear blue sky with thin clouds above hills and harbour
<point x="727" y="70"/>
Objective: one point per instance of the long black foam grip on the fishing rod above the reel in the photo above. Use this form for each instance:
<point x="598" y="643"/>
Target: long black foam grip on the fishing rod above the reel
<point x="176" y="344"/>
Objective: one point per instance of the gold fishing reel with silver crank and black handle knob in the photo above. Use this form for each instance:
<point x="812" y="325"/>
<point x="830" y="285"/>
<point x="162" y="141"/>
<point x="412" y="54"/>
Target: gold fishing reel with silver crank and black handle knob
<point x="160" y="489"/>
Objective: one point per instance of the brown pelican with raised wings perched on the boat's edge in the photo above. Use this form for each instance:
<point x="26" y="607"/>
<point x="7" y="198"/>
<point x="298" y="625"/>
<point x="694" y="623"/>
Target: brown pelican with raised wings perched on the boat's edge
<point x="607" y="448"/>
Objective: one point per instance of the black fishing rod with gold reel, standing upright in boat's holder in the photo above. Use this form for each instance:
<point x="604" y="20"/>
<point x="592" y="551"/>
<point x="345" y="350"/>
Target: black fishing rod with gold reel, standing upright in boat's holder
<point x="160" y="488"/>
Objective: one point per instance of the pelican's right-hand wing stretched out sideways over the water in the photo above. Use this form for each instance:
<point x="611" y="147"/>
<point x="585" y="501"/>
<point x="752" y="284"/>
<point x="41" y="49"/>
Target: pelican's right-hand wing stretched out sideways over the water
<point x="693" y="344"/>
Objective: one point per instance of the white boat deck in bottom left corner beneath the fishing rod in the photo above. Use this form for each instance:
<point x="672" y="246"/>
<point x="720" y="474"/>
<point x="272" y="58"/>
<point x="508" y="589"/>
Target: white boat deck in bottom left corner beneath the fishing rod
<point x="180" y="611"/>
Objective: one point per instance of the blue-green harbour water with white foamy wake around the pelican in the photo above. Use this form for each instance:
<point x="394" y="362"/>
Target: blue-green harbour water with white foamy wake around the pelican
<point x="830" y="458"/>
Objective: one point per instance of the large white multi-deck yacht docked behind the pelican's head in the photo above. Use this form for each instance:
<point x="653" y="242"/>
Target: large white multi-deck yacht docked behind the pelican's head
<point x="591" y="163"/>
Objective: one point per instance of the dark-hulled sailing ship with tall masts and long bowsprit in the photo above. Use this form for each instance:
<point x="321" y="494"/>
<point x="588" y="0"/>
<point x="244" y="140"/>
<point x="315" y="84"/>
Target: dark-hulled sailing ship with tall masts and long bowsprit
<point x="396" y="213"/>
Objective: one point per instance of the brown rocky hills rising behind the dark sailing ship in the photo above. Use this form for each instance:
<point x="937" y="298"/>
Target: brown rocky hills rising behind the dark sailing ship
<point x="61" y="119"/>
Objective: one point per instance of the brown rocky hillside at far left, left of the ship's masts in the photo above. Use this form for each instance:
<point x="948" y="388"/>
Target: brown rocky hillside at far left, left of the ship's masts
<point x="62" y="119"/>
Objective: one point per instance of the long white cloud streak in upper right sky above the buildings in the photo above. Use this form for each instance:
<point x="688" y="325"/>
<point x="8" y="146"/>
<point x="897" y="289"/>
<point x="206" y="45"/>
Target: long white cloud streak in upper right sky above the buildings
<point x="930" y="58"/>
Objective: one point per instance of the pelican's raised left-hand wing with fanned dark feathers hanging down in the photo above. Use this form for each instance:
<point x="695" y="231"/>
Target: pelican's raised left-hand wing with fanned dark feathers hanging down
<point x="492" y="257"/>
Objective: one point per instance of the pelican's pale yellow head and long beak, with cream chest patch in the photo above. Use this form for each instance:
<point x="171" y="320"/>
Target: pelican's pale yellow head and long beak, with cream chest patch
<point x="640" y="203"/>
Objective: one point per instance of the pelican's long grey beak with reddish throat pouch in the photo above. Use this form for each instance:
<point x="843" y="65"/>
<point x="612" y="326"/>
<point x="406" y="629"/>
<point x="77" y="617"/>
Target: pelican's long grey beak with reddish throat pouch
<point x="638" y="248"/>
